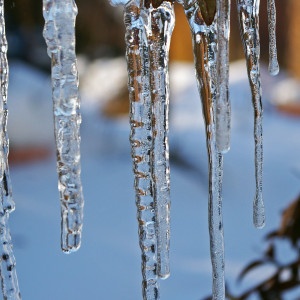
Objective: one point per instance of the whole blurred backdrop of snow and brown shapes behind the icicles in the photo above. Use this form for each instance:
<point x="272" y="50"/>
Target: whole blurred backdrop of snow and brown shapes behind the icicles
<point x="108" y="264"/>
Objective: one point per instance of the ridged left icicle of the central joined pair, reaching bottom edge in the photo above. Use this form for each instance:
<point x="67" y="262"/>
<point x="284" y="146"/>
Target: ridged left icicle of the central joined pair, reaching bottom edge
<point x="137" y="20"/>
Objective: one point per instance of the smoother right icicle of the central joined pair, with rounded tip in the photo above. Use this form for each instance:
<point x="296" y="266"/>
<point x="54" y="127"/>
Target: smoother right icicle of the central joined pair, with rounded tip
<point x="162" y="24"/>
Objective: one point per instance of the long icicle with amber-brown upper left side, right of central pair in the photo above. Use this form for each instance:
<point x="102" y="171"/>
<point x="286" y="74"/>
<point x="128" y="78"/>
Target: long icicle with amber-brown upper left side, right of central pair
<point x="205" y="54"/>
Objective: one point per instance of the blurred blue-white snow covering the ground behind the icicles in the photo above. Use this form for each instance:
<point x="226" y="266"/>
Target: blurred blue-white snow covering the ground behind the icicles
<point x="108" y="264"/>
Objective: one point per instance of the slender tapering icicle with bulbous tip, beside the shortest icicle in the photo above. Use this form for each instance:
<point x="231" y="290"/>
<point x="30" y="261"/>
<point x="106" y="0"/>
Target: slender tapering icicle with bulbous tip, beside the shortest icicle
<point x="248" y="11"/>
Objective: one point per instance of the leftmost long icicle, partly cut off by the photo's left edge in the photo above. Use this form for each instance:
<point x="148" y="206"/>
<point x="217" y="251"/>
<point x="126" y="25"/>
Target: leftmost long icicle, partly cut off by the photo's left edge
<point x="9" y="281"/>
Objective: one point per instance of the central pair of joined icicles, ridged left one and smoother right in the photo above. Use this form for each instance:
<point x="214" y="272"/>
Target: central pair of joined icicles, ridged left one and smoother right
<point x="148" y="32"/>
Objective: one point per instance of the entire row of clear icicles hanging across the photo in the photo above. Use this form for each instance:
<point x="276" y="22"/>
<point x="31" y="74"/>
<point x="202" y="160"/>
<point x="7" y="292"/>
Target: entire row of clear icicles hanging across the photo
<point x="149" y="25"/>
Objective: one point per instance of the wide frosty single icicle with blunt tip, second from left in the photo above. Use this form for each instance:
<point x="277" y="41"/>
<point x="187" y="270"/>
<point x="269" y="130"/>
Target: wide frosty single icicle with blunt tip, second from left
<point x="60" y="38"/>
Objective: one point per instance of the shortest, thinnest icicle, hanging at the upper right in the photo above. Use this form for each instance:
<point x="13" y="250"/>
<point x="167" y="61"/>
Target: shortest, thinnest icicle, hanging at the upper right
<point x="273" y="62"/>
